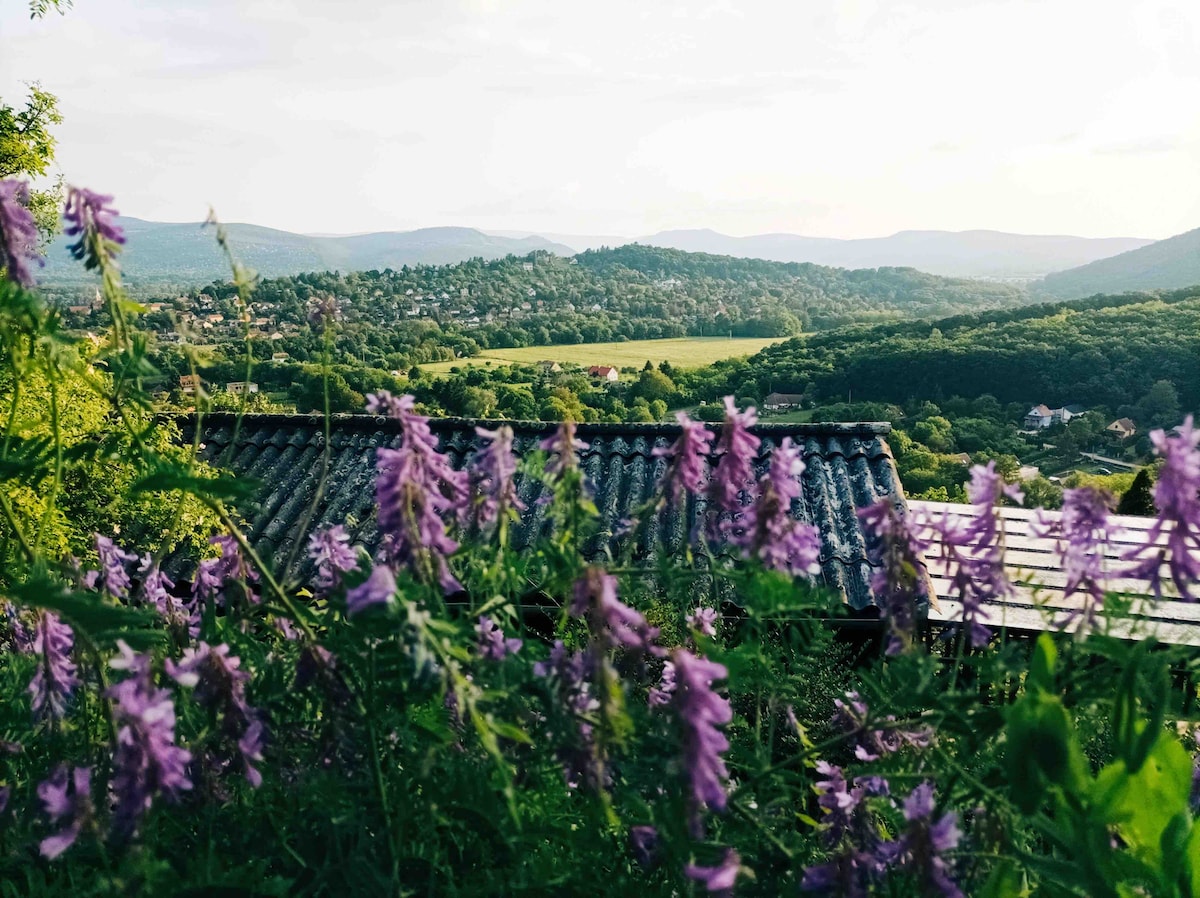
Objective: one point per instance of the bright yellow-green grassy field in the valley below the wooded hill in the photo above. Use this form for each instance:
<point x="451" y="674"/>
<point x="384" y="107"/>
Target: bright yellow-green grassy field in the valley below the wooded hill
<point x="685" y="352"/>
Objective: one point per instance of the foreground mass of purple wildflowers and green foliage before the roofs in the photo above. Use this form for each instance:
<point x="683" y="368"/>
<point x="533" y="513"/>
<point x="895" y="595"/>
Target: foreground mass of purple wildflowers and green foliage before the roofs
<point x="454" y="717"/>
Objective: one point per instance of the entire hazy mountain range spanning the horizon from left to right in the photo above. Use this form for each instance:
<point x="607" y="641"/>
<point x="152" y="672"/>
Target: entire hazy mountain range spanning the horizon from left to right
<point x="188" y="254"/>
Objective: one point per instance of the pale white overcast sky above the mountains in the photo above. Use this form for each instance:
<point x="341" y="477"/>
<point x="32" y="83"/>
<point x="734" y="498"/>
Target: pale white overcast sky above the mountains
<point x="628" y="117"/>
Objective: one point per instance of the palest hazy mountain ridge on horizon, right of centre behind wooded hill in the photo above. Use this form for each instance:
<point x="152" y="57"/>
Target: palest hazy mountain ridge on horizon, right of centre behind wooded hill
<point x="953" y="254"/>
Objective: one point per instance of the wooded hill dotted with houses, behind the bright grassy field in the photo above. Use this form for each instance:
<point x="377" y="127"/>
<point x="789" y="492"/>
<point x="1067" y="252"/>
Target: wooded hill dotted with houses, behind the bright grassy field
<point x="394" y="320"/>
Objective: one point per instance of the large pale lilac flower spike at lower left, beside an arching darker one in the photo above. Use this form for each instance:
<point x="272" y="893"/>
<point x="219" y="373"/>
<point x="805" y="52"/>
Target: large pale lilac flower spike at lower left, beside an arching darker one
<point x="147" y="762"/>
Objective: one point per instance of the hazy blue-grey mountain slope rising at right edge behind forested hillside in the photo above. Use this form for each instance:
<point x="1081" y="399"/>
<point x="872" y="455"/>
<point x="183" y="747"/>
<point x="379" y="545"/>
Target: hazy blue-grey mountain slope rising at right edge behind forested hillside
<point x="1167" y="265"/>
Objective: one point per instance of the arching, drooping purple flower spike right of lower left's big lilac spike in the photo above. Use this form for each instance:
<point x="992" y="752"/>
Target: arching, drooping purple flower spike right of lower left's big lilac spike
<point x="220" y="685"/>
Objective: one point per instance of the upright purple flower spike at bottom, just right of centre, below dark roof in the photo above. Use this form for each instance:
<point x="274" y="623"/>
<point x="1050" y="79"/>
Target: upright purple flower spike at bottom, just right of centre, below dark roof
<point x="701" y="713"/>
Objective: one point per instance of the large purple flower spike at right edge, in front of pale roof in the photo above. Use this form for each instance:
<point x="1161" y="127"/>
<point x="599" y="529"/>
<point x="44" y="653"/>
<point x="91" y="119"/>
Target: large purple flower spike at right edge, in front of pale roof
<point x="1178" y="498"/>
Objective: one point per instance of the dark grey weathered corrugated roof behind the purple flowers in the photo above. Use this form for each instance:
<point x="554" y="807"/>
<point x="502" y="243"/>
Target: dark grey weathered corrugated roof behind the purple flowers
<point x="849" y="466"/>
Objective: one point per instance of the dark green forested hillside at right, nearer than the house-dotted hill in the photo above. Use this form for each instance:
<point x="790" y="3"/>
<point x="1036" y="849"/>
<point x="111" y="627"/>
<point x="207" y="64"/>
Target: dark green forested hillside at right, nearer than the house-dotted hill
<point x="1103" y="351"/>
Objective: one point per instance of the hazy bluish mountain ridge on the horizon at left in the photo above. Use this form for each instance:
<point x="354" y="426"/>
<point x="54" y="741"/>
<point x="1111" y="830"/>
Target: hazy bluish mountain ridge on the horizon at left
<point x="189" y="254"/>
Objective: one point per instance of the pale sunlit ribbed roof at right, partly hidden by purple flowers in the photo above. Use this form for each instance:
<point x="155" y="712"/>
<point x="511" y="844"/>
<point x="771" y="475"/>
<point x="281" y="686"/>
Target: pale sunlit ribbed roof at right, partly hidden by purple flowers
<point x="1035" y="566"/>
